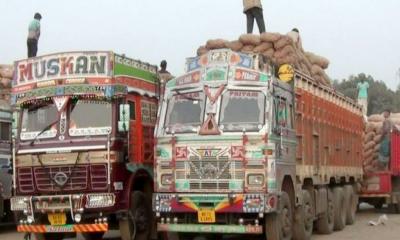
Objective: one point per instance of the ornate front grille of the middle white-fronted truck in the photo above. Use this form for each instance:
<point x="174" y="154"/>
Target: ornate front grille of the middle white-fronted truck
<point x="209" y="173"/>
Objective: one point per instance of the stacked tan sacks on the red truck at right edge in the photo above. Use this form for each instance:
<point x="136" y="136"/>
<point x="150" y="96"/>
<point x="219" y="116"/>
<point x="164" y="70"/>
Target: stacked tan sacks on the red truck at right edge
<point x="372" y="140"/>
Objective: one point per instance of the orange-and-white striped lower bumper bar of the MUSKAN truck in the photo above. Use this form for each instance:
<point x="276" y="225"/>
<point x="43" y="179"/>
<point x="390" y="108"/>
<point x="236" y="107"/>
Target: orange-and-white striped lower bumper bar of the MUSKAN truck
<point x="71" y="228"/>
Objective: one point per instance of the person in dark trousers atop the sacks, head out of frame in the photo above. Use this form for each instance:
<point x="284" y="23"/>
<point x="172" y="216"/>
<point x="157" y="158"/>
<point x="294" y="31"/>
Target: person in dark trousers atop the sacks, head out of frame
<point x="253" y="10"/>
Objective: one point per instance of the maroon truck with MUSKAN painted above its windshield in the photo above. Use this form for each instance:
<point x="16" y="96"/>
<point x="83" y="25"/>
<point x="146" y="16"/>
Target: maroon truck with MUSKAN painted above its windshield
<point x="83" y="152"/>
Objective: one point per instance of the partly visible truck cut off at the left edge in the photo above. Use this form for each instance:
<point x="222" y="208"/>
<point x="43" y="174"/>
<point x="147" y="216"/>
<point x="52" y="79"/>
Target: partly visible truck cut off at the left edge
<point x="5" y="160"/>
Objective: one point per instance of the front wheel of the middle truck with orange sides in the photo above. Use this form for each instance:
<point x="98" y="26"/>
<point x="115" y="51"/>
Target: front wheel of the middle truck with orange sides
<point x="278" y="226"/>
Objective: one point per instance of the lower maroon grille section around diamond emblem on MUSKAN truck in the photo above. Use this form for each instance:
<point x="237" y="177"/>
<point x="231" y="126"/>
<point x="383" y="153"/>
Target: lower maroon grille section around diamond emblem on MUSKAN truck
<point x="78" y="179"/>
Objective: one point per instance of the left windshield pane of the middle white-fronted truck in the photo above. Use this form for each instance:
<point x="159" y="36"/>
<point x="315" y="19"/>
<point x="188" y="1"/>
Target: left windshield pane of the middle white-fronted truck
<point x="185" y="112"/>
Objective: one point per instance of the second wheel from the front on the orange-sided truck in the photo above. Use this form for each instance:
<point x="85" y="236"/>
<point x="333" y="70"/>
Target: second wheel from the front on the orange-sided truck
<point x="304" y="218"/>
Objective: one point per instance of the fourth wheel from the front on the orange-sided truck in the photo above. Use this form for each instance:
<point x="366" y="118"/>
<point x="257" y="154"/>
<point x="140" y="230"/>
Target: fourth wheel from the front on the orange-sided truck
<point x="339" y="208"/>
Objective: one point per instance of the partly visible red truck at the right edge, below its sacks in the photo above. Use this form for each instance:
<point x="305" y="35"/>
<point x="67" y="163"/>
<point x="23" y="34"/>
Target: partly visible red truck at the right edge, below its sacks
<point x="383" y="187"/>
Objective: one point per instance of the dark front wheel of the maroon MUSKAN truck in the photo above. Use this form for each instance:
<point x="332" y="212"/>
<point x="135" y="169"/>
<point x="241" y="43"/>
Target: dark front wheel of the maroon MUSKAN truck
<point x="138" y="224"/>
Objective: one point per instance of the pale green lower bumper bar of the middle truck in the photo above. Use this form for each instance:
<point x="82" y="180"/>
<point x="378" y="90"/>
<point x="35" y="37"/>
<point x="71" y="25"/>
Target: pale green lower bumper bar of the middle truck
<point x="212" y="228"/>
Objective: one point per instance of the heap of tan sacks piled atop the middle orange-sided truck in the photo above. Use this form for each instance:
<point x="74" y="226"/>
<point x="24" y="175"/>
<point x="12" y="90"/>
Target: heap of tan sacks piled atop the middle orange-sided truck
<point x="279" y="48"/>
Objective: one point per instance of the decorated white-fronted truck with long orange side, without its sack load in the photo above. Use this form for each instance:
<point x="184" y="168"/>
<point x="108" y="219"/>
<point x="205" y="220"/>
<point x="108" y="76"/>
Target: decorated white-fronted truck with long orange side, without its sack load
<point x="247" y="147"/>
